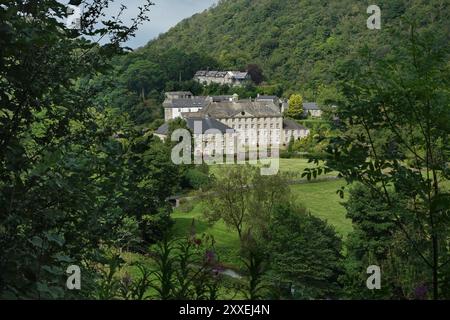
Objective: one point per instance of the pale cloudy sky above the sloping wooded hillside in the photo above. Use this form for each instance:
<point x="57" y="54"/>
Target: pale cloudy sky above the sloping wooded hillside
<point x="163" y="15"/>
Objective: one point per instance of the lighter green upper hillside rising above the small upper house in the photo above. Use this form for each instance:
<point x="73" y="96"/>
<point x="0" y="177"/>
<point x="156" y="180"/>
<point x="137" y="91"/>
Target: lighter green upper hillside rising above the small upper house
<point x="296" y="42"/>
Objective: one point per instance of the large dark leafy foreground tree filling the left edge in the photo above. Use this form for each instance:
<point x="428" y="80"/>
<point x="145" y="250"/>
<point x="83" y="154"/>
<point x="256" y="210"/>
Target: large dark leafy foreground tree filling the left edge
<point x="58" y="169"/>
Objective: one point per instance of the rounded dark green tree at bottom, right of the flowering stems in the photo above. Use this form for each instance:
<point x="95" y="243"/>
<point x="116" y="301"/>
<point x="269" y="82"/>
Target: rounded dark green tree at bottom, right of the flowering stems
<point x="304" y="255"/>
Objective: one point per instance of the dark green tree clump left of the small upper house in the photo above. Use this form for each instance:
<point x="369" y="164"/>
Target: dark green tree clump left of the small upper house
<point x="137" y="81"/>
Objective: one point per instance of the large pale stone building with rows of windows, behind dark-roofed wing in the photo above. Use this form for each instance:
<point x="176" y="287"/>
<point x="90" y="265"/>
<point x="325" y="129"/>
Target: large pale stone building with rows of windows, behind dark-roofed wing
<point x="249" y="119"/>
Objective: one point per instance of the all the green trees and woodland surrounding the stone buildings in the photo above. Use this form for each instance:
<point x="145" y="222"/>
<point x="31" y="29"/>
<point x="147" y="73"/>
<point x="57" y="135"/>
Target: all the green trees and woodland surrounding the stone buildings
<point x="84" y="181"/>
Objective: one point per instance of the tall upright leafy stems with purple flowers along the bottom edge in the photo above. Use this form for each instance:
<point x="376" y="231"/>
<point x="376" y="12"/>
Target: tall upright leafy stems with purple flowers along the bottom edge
<point x="181" y="269"/>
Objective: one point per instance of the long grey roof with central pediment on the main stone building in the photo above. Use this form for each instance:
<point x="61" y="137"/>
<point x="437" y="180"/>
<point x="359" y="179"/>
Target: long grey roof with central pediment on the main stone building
<point x="224" y="110"/>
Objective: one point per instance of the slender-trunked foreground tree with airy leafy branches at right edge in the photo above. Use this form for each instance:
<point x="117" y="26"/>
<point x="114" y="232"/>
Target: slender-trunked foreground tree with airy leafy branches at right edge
<point x="402" y="98"/>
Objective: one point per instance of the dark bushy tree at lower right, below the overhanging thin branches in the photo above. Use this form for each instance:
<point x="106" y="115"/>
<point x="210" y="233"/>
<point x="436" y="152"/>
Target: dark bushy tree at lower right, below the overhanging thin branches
<point x="375" y="240"/>
